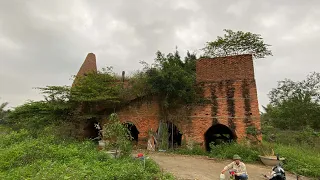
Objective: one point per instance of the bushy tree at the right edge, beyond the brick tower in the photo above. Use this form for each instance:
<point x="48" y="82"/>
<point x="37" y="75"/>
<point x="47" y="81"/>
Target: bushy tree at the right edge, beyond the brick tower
<point x="294" y="105"/>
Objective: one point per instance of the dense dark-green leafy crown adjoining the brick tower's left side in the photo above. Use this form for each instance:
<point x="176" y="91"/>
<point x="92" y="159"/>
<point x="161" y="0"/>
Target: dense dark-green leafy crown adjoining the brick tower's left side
<point x="172" y="79"/>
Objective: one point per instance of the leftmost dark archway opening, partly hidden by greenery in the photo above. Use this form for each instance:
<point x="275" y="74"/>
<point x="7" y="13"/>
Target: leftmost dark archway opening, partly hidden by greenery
<point x="91" y="131"/>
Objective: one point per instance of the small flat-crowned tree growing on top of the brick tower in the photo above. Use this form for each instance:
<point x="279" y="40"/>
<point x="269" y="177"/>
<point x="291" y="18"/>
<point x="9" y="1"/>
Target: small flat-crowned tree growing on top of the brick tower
<point x="236" y="43"/>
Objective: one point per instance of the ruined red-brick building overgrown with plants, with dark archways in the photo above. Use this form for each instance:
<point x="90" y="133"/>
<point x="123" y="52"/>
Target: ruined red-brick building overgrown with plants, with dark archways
<point x="230" y="113"/>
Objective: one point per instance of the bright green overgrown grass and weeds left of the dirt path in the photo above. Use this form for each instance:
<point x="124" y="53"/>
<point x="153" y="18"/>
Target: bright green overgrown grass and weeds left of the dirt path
<point x="46" y="157"/>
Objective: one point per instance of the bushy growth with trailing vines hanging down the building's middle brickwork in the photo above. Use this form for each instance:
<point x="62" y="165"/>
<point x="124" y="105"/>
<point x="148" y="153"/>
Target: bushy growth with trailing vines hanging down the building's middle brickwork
<point x="172" y="80"/>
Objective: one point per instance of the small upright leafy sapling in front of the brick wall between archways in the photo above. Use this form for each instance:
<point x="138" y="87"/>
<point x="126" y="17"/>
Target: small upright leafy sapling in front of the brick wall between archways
<point x="117" y="136"/>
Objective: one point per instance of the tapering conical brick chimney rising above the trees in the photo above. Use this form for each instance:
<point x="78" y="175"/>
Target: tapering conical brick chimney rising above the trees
<point x="89" y="65"/>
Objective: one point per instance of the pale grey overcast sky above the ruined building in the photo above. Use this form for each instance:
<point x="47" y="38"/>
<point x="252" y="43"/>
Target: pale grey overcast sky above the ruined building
<point x="45" y="42"/>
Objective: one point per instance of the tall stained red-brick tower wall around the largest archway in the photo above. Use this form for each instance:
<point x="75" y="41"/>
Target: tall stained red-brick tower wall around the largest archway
<point x="229" y="84"/>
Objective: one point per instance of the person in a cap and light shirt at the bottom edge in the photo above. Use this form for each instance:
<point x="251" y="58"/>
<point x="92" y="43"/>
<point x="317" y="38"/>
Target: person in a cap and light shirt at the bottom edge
<point x="239" y="168"/>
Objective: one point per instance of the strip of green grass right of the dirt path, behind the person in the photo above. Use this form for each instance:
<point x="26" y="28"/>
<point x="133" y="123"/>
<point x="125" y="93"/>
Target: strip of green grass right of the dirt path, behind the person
<point x="299" y="159"/>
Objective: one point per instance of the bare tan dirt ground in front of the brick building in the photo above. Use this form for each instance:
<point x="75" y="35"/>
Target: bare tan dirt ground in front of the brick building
<point x="201" y="168"/>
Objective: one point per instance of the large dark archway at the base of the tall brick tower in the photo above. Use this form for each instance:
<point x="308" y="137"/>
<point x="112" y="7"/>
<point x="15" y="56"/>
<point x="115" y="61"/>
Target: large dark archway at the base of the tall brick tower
<point x="218" y="134"/>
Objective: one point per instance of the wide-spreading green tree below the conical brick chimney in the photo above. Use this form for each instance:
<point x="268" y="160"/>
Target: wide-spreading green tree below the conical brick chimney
<point x="90" y="98"/>
